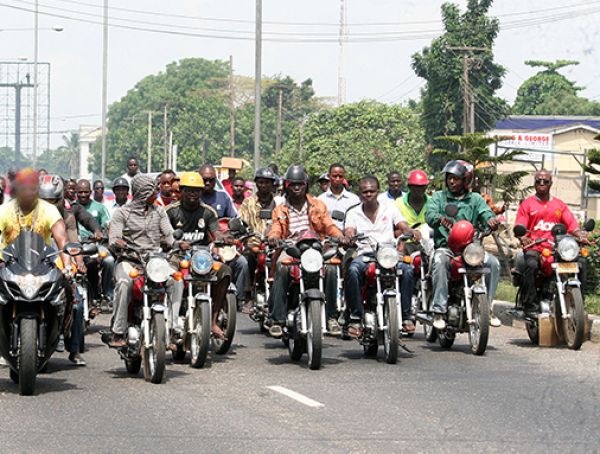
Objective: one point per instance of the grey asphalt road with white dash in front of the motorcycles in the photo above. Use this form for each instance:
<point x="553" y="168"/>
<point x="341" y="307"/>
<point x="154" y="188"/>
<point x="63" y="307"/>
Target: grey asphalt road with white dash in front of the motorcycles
<point x="517" y="398"/>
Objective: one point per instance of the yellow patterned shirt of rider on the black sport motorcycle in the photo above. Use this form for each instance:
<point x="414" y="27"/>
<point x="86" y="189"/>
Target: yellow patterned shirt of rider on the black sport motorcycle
<point x="11" y="223"/>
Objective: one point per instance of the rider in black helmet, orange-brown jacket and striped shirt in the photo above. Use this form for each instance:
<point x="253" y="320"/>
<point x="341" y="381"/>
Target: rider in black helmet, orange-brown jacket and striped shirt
<point x="301" y="214"/>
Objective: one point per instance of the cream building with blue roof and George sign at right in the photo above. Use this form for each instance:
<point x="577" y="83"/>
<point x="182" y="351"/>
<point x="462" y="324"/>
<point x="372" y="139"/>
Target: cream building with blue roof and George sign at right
<point x="558" y="144"/>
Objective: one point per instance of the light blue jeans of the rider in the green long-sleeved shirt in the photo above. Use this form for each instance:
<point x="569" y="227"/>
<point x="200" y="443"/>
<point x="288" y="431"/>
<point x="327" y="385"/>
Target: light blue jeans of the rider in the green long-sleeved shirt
<point x="440" y="275"/>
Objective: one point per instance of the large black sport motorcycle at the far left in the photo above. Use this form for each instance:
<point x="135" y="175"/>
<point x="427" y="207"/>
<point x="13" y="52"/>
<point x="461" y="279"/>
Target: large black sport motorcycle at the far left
<point x="33" y="310"/>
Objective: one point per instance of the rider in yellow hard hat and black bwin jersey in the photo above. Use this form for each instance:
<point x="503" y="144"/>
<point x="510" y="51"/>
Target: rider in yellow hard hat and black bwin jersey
<point x="200" y="225"/>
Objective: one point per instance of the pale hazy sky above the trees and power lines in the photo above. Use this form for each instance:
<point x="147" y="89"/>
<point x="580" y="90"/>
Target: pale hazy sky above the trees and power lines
<point x="373" y="69"/>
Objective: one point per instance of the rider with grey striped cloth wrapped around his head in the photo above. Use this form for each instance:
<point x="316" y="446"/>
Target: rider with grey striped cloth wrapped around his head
<point x="141" y="226"/>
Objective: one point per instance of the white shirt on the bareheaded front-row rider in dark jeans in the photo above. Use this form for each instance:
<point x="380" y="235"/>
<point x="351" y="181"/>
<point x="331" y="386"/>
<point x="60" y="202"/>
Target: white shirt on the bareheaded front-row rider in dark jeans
<point x="380" y="231"/>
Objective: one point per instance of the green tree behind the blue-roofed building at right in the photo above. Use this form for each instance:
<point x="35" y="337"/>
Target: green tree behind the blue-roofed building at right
<point x="550" y="93"/>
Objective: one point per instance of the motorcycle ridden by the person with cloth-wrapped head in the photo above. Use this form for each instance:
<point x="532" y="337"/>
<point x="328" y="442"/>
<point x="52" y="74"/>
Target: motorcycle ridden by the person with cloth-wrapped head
<point x="146" y="333"/>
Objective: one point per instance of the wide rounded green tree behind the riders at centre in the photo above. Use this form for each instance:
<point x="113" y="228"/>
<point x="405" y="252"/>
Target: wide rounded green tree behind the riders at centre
<point x="367" y="137"/>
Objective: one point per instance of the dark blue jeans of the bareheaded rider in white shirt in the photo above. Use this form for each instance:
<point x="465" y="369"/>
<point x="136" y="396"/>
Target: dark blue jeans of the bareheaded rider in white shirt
<point x="356" y="279"/>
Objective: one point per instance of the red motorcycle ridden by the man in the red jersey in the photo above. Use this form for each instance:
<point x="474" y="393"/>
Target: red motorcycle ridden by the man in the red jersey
<point x="558" y="287"/>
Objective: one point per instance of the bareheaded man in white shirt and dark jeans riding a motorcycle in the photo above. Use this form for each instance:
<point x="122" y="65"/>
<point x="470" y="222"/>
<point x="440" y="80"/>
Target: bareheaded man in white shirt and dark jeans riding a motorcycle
<point x="381" y="223"/>
